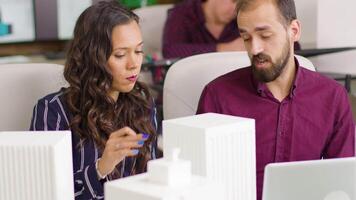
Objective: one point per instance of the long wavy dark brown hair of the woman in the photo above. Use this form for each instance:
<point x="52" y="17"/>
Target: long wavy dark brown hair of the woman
<point x="94" y="114"/>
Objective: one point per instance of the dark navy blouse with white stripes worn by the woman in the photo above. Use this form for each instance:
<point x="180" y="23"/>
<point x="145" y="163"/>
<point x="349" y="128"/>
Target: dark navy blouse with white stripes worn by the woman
<point x="50" y="114"/>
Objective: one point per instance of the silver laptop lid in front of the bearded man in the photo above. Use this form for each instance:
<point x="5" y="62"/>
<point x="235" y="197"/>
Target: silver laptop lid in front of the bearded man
<point x="329" y="179"/>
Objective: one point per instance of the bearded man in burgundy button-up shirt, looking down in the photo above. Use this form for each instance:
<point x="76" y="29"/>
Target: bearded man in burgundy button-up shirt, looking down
<point x="299" y="114"/>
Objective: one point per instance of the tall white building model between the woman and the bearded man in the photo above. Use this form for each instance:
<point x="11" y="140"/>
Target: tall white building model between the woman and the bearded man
<point x="221" y="147"/>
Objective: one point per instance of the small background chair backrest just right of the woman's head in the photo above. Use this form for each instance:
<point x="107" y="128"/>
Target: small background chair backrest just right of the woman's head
<point x="152" y="20"/>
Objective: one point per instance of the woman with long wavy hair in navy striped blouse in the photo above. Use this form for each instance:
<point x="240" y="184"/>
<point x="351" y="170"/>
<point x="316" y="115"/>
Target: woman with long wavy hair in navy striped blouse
<point x="110" y="114"/>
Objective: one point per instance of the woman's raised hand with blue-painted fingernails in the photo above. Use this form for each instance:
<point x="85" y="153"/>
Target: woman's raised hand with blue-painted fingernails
<point x="121" y="143"/>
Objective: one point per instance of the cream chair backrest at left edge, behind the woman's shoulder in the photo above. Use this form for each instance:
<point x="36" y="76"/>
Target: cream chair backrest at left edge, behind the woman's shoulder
<point x="21" y="85"/>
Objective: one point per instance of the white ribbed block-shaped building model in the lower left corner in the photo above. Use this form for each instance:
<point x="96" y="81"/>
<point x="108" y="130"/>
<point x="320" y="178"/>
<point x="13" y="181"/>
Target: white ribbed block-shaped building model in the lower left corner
<point x="36" y="165"/>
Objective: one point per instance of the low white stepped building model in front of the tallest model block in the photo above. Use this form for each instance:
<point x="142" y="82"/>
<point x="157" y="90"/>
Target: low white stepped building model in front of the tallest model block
<point x="166" y="179"/>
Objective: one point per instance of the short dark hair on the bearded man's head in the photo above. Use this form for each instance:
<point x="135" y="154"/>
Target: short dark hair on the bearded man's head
<point x="286" y="8"/>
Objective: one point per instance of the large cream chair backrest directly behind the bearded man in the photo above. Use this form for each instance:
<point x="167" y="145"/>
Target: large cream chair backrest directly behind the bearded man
<point x="186" y="79"/>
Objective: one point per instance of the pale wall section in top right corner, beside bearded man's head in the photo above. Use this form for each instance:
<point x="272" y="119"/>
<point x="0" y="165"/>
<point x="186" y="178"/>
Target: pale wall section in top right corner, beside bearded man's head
<point x="327" y="23"/>
